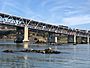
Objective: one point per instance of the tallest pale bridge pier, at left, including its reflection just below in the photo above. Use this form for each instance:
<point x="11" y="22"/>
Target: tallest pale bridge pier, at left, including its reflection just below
<point x="26" y="36"/>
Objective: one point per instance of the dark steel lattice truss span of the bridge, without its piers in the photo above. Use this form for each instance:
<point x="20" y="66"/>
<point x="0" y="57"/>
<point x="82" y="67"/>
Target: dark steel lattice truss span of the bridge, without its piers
<point x="20" y="21"/>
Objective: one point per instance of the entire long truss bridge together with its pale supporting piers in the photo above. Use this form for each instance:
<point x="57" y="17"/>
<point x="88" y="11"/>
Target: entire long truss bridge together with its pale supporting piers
<point x="55" y="34"/>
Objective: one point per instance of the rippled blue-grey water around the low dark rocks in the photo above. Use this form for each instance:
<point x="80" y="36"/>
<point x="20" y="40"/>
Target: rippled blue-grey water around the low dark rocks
<point x="72" y="56"/>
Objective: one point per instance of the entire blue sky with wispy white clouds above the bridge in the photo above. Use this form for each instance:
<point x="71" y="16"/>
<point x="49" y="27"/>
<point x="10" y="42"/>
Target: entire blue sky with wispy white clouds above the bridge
<point x="56" y="12"/>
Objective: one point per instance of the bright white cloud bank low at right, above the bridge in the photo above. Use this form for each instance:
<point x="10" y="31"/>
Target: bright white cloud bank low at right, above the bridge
<point x="76" y="20"/>
